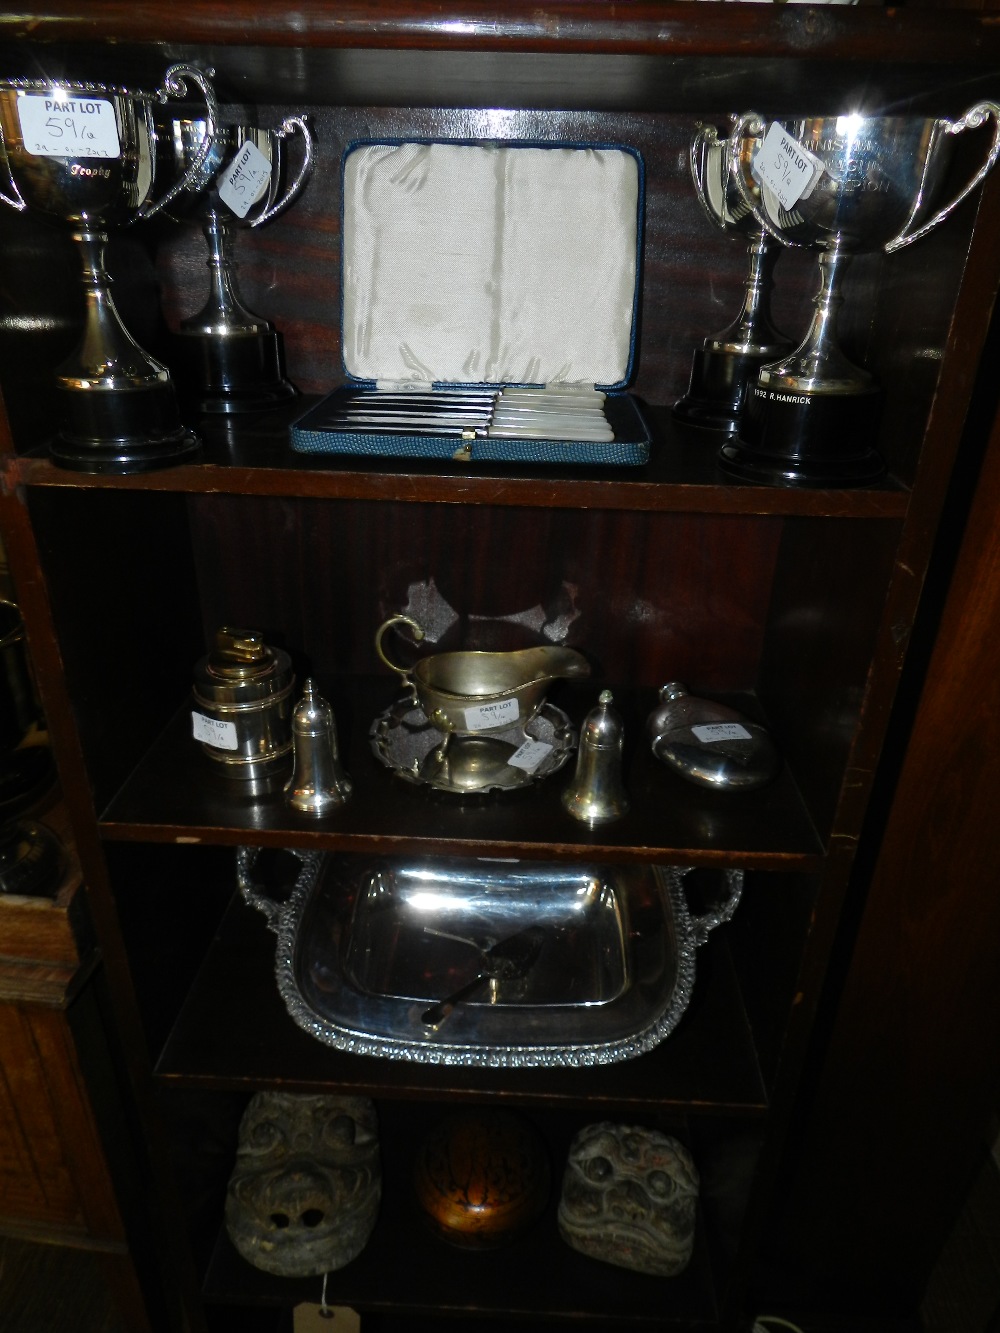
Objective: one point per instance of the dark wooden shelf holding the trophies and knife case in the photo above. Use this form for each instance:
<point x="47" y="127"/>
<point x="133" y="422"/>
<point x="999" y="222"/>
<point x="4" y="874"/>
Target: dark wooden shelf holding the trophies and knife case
<point x="253" y="457"/>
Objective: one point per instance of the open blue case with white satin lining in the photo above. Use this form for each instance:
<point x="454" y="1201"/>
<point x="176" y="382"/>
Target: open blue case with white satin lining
<point x="483" y="266"/>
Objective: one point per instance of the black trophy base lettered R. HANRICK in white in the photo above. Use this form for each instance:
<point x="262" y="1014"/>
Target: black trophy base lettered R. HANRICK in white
<point x="806" y="441"/>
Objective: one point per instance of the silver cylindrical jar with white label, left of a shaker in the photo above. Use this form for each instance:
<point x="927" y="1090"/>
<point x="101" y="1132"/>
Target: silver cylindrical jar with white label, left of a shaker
<point x="243" y="708"/>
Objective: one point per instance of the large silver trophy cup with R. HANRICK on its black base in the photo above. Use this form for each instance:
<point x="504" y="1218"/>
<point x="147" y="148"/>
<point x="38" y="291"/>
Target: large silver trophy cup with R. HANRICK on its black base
<point x="845" y="186"/>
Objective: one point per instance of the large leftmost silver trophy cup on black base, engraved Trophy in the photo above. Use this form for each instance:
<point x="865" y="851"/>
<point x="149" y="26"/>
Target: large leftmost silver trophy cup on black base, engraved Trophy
<point x="85" y="154"/>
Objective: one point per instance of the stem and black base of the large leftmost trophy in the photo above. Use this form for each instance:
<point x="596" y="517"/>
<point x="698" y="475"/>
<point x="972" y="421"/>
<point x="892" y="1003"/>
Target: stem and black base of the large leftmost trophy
<point x="118" y="410"/>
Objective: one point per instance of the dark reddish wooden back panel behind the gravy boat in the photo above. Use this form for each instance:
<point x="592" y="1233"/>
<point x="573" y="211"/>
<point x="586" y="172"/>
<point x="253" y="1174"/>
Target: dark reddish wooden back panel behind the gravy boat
<point x="647" y="598"/>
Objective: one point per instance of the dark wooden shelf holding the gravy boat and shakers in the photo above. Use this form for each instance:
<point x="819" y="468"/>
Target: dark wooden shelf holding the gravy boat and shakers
<point x="177" y="795"/>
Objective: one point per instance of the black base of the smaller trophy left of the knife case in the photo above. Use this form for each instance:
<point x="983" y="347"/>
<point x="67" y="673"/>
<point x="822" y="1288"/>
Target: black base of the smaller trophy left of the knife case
<point x="233" y="373"/>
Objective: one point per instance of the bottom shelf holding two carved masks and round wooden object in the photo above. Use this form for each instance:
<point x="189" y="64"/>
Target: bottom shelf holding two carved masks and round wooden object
<point x="534" y="1276"/>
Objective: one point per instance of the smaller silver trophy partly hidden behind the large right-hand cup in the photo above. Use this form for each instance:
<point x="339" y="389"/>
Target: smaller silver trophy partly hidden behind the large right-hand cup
<point x="726" y="367"/>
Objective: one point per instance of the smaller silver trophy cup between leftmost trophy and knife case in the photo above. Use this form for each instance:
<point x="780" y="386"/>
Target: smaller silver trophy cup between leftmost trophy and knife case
<point x="230" y="359"/>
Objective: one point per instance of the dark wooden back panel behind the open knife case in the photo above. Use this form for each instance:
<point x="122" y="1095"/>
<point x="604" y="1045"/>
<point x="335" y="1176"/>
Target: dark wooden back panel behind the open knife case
<point x="693" y="274"/>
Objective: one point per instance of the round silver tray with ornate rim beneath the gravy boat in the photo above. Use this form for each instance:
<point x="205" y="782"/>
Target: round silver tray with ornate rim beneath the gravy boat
<point x="471" y="766"/>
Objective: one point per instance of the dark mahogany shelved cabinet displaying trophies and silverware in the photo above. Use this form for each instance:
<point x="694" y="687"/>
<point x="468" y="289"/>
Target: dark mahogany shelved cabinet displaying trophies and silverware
<point x="797" y="606"/>
